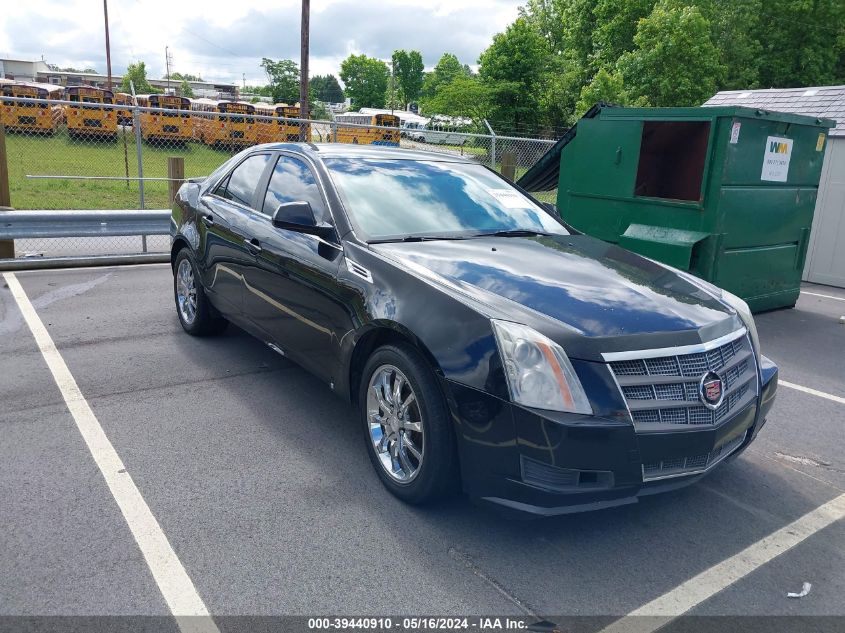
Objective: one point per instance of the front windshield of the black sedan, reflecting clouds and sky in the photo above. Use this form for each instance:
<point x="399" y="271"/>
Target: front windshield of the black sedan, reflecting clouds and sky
<point x="395" y="199"/>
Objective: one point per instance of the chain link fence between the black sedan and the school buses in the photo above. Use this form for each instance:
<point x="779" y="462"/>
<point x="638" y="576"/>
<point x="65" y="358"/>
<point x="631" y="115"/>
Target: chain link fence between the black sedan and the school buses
<point x="69" y="155"/>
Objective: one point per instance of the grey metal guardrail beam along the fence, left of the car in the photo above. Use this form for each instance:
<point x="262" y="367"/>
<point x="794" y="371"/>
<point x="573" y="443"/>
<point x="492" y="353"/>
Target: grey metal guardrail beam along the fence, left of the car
<point x="18" y="225"/>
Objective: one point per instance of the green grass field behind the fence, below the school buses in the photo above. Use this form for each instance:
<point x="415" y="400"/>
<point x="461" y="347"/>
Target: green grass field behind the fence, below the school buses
<point x="60" y="156"/>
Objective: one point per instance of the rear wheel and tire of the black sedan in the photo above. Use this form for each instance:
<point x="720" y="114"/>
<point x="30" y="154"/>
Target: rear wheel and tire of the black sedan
<point x="196" y="314"/>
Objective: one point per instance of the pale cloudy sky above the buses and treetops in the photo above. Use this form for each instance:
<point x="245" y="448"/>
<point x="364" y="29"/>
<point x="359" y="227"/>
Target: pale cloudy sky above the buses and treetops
<point x="224" y="40"/>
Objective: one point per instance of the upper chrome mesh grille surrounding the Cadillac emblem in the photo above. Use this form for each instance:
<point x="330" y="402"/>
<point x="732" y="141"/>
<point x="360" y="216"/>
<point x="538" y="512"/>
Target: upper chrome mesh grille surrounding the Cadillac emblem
<point x="662" y="386"/>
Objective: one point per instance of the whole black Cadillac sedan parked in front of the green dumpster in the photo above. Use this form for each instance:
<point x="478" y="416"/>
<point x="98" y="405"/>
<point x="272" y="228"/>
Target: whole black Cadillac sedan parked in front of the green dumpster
<point x="484" y="344"/>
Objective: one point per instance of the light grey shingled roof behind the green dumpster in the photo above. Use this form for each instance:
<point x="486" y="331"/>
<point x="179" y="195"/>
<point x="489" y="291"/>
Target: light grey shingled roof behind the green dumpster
<point x="821" y="101"/>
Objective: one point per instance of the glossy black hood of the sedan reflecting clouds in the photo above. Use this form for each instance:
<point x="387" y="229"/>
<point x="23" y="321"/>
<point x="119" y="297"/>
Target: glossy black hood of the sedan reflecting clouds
<point x="592" y="287"/>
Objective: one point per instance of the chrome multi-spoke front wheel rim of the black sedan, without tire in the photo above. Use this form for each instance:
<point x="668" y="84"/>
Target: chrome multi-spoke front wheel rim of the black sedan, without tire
<point x="395" y="424"/>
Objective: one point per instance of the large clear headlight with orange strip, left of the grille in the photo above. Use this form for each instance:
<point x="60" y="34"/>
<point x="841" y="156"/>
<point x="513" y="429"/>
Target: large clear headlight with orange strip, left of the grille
<point x="538" y="371"/>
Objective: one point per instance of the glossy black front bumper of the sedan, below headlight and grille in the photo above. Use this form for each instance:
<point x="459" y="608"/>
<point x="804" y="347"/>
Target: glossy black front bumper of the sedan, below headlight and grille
<point x="547" y="463"/>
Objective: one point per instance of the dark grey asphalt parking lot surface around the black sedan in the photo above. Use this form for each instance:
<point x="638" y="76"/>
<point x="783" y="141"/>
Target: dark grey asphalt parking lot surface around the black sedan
<point x="257" y="476"/>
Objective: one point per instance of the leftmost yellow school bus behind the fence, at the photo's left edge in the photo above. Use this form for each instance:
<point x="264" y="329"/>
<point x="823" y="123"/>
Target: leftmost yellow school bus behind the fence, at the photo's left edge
<point x="37" y="115"/>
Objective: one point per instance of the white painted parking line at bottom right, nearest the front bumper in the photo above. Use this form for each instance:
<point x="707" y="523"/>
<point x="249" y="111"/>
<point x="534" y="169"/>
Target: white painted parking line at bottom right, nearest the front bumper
<point x="708" y="583"/>
